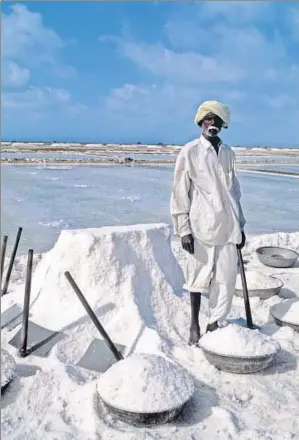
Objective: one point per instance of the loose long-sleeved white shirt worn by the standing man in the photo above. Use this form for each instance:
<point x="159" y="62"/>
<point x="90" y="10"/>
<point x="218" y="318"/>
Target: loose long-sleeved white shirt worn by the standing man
<point x="205" y="198"/>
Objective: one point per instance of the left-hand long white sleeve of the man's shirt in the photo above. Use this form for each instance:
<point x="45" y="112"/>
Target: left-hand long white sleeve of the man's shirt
<point x="180" y="201"/>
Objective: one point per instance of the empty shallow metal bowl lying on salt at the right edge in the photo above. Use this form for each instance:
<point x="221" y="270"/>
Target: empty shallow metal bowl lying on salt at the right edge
<point x="274" y="256"/>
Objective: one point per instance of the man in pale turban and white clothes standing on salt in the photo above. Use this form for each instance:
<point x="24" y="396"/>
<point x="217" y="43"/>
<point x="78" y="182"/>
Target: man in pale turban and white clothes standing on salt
<point x="207" y="216"/>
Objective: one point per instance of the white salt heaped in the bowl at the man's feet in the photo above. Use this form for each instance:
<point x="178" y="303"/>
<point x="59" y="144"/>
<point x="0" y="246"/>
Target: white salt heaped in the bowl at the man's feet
<point x="234" y="340"/>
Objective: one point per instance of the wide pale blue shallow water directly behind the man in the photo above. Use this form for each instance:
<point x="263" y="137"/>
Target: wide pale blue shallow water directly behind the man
<point x="44" y="201"/>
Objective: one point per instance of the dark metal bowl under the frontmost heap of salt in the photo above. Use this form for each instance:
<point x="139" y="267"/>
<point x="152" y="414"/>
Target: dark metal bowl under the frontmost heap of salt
<point x="144" y="419"/>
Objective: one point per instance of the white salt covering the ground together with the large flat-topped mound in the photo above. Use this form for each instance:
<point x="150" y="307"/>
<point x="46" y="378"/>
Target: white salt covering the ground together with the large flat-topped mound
<point x="134" y="284"/>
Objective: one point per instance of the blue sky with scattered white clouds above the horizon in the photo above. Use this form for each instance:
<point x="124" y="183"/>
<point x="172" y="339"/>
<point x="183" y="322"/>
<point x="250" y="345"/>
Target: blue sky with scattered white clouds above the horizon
<point x="137" y="71"/>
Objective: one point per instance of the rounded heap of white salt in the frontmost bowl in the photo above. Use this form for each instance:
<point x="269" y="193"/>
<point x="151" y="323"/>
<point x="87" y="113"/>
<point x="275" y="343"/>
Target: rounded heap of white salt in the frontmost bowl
<point x="144" y="383"/>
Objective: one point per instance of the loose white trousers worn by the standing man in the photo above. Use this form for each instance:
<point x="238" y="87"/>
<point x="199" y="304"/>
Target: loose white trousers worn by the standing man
<point x="213" y="269"/>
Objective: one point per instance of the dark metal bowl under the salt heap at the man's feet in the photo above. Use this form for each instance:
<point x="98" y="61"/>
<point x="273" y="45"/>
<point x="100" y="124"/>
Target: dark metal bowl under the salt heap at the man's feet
<point x="239" y="364"/>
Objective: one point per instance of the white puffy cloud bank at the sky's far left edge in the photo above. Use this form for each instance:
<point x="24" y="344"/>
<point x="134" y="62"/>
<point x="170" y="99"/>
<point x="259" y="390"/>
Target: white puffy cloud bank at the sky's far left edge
<point x="30" y="46"/>
